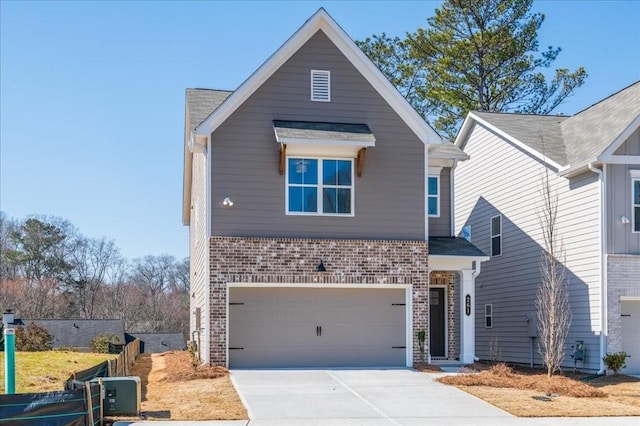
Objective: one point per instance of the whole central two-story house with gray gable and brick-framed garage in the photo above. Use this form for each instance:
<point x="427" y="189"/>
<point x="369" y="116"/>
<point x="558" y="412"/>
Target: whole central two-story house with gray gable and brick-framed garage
<point x="319" y="207"/>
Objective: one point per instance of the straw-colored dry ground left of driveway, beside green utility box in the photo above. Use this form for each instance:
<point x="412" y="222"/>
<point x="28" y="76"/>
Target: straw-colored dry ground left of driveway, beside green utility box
<point x="171" y="390"/>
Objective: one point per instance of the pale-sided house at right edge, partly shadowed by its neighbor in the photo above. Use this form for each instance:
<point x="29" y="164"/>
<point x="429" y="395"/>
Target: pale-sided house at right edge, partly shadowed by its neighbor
<point x="593" y="164"/>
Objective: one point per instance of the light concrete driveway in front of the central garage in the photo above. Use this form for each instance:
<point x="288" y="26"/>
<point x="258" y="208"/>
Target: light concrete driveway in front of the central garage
<point x="363" y="397"/>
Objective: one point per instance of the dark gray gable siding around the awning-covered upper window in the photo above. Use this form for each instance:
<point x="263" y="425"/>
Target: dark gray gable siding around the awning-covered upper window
<point x="389" y="197"/>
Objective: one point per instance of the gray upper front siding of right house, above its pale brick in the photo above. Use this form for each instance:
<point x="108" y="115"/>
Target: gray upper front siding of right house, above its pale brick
<point x="620" y="238"/>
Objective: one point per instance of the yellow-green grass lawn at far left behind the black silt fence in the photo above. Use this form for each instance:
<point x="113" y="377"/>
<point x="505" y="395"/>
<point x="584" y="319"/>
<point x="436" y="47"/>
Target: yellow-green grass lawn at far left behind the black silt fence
<point x="47" y="371"/>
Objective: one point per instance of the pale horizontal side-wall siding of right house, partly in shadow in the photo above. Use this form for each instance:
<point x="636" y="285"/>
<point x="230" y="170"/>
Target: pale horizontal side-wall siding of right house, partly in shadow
<point x="500" y="179"/>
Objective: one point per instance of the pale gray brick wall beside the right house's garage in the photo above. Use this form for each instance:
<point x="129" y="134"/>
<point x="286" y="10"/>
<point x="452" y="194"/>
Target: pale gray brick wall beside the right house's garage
<point x="623" y="280"/>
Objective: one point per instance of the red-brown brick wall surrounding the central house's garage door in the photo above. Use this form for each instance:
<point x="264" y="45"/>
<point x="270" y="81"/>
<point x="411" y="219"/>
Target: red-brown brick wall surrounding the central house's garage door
<point x="282" y="260"/>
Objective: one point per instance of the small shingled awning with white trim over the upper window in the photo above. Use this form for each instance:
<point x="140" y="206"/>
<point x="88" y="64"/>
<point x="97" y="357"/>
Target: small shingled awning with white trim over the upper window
<point x="323" y="139"/>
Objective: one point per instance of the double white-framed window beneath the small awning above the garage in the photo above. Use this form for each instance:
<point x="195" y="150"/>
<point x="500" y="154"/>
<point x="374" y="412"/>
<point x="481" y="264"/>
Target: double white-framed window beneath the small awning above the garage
<point x="319" y="186"/>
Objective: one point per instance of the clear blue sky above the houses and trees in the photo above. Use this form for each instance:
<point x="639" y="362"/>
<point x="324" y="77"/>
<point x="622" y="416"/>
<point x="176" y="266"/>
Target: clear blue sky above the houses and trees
<point x="92" y="93"/>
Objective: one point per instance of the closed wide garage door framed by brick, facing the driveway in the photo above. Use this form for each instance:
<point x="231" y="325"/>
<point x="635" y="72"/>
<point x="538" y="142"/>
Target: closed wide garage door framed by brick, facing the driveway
<point x="316" y="327"/>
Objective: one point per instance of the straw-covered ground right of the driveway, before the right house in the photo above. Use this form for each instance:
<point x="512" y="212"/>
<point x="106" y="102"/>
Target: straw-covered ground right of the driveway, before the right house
<point x="533" y="394"/>
